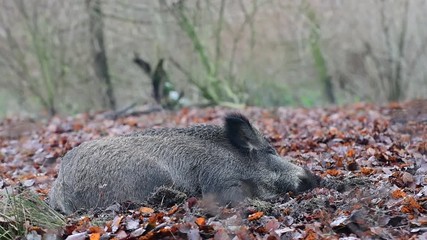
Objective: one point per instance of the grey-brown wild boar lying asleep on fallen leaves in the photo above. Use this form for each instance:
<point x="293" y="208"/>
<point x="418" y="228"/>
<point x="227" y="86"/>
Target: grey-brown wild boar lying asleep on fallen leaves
<point x="229" y="163"/>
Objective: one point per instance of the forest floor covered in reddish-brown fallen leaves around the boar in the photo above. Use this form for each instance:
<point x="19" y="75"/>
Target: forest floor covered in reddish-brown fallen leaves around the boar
<point x="384" y="146"/>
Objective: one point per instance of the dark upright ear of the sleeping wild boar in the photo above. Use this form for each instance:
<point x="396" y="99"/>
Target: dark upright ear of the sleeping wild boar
<point x="241" y="133"/>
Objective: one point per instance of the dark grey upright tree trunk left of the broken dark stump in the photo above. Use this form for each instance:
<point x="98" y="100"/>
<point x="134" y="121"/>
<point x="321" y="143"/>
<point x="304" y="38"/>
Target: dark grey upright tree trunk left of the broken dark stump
<point x="100" y="64"/>
